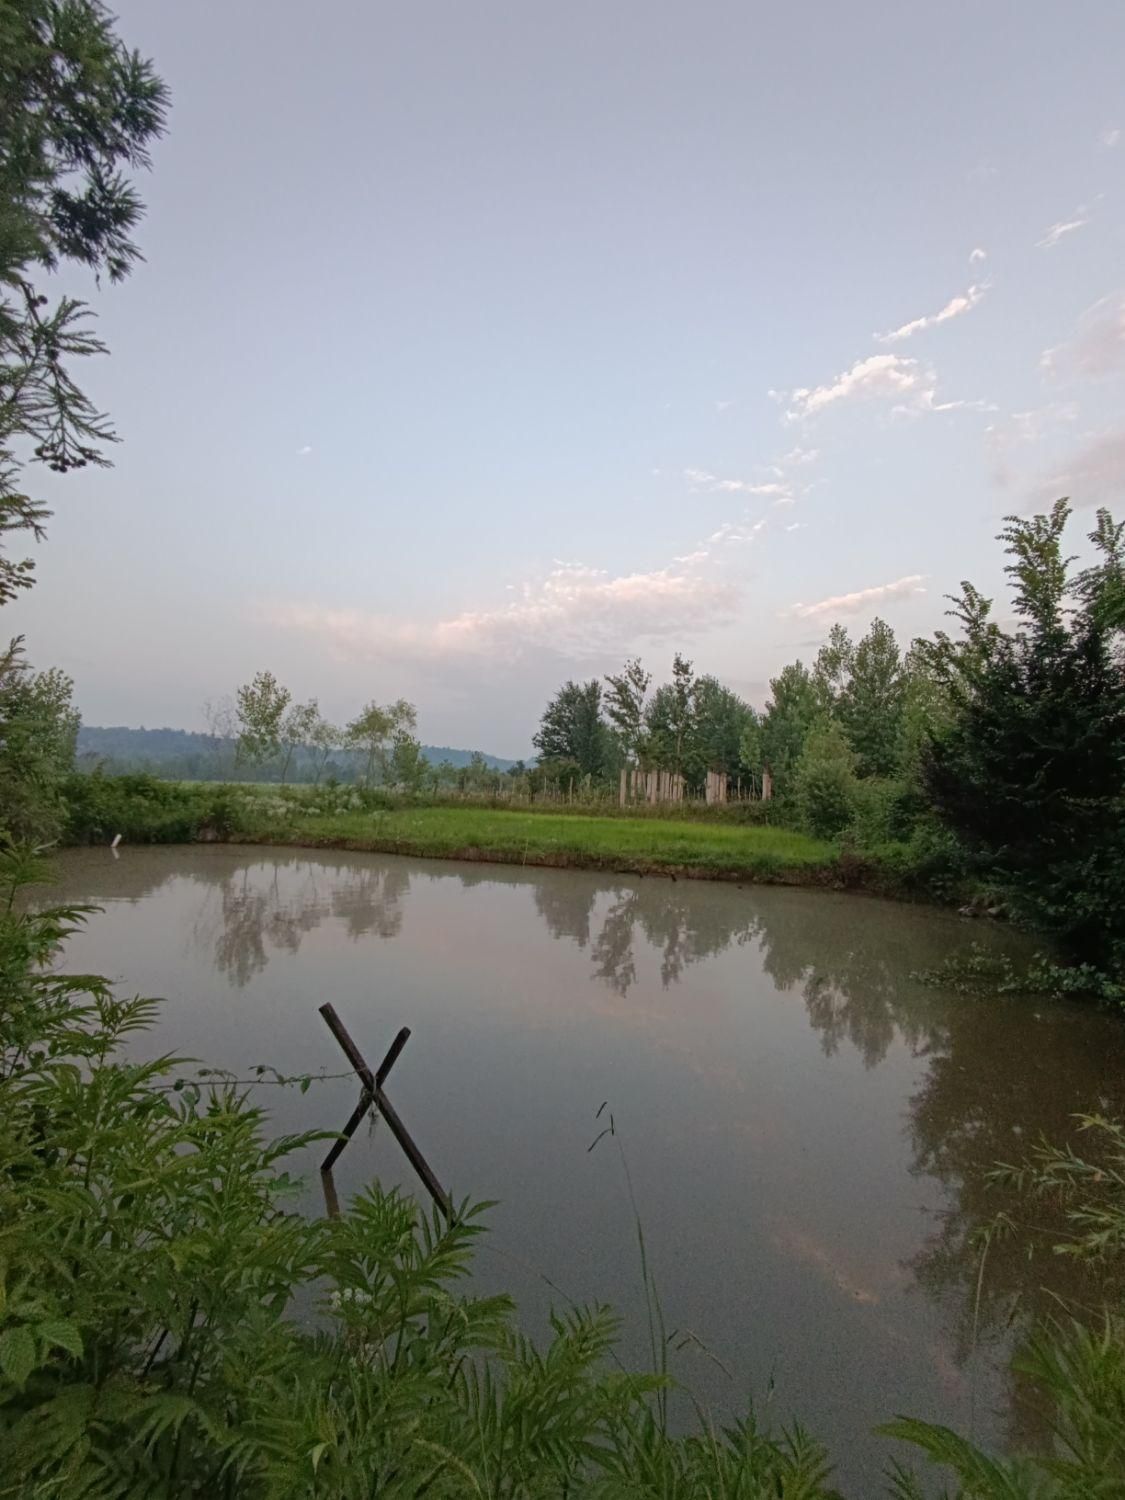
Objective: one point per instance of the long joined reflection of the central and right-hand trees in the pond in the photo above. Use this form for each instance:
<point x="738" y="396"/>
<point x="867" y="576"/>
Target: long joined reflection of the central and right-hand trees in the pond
<point x="1000" y="1073"/>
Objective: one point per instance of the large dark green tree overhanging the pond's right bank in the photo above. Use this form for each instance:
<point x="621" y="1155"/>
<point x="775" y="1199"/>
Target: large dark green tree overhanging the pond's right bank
<point x="1031" y="773"/>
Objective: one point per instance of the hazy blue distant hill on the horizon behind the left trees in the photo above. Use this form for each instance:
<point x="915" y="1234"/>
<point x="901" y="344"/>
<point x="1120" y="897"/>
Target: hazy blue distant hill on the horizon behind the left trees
<point x="191" y="757"/>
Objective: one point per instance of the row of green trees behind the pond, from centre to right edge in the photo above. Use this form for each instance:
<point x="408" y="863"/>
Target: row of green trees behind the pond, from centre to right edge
<point x="995" y="755"/>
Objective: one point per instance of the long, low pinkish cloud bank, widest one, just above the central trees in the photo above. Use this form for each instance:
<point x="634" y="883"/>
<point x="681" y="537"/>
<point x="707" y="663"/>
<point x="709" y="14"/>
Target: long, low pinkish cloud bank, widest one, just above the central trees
<point x="575" y="611"/>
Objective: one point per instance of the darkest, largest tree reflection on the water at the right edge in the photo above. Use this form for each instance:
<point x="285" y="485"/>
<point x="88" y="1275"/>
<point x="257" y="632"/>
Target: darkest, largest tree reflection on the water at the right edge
<point x="1006" y="1076"/>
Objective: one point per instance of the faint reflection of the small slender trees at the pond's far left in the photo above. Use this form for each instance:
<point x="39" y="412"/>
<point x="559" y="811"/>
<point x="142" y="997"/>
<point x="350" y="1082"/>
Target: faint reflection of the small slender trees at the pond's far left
<point x="260" y="913"/>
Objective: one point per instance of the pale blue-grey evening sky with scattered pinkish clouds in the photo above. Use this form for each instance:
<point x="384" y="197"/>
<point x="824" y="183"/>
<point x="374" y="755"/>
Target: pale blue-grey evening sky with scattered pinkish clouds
<point x="481" y="346"/>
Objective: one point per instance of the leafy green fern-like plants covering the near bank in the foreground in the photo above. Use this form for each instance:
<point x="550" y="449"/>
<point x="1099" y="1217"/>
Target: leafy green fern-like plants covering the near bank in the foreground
<point x="170" y="1328"/>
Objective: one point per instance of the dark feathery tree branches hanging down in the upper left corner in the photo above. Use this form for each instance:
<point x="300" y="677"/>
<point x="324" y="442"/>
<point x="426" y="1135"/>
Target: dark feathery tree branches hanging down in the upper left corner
<point x="77" y="112"/>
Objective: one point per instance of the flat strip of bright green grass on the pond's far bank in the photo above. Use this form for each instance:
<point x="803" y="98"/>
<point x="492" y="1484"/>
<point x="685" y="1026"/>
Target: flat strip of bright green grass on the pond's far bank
<point x="571" y="841"/>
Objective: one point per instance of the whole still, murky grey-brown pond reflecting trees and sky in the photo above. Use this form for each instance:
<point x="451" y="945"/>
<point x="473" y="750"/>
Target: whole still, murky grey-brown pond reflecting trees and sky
<point x="808" y="1129"/>
